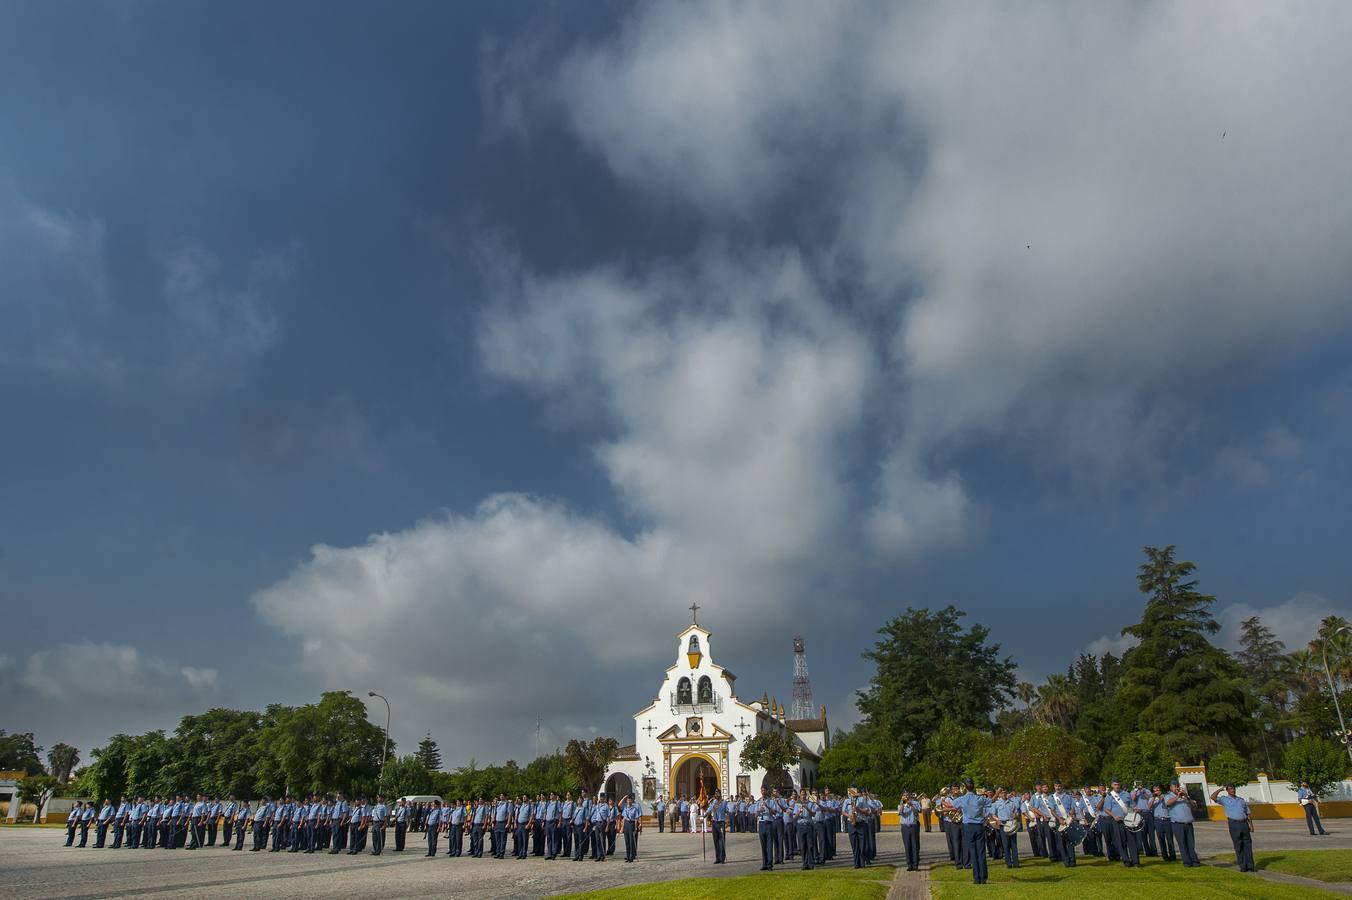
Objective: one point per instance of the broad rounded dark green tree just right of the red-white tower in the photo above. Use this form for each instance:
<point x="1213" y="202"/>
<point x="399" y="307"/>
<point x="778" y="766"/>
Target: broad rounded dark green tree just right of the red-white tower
<point x="928" y="668"/>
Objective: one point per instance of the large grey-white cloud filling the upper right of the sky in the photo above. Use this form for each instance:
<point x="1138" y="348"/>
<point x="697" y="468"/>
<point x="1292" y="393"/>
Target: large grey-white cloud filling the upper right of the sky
<point x="1043" y="197"/>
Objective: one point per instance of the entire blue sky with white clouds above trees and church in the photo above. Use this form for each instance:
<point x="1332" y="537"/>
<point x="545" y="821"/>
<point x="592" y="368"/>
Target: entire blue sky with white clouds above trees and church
<point x="452" y="351"/>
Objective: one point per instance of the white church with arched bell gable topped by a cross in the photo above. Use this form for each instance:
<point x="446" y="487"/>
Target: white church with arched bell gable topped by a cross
<point x="696" y="729"/>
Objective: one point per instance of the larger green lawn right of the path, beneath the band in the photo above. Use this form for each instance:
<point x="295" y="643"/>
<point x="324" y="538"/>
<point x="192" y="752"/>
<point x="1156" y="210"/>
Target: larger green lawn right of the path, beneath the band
<point x="1103" y="879"/>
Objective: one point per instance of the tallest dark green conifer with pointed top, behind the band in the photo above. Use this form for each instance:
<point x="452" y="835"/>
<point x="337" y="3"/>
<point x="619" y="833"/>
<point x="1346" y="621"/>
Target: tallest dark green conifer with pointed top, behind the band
<point x="1174" y="682"/>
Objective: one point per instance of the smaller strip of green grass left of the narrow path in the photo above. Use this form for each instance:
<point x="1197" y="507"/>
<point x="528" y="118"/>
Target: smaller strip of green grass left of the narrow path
<point x="788" y="884"/>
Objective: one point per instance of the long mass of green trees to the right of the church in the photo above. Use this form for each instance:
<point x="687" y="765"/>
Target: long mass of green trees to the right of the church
<point x="944" y="703"/>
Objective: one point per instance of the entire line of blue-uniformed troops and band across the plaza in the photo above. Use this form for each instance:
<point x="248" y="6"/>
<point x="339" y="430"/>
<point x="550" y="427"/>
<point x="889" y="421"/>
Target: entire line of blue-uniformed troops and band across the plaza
<point x="978" y="824"/>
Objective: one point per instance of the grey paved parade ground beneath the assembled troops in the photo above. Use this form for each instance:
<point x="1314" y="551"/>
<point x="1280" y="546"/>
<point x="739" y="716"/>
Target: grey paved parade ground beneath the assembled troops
<point x="34" y="864"/>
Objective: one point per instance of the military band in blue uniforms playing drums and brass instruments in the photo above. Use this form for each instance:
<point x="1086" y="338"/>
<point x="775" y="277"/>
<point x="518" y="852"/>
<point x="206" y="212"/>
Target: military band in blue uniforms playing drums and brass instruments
<point x="1097" y="821"/>
